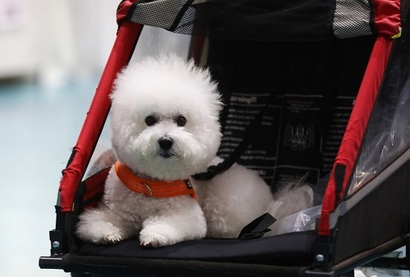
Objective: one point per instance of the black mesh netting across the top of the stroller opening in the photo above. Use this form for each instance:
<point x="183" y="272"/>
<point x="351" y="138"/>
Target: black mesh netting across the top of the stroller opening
<point x="249" y="19"/>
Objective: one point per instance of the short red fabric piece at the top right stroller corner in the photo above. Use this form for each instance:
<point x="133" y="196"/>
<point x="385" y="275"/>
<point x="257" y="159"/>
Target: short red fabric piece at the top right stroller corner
<point x="387" y="17"/>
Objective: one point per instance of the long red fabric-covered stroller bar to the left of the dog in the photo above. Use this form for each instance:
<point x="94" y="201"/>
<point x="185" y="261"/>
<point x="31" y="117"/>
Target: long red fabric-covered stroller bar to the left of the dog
<point x="121" y="52"/>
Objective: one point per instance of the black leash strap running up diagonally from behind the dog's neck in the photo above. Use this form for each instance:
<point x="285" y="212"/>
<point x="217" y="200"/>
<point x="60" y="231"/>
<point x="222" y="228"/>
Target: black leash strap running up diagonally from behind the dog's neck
<point x="213" y="170"/>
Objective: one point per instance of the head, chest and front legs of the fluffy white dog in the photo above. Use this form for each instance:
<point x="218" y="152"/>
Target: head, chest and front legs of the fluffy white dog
<point x="165" y="127"/>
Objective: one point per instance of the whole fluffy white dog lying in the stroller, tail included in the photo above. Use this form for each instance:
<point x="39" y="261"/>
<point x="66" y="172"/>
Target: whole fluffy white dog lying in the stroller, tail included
<point x="165" y="128"/>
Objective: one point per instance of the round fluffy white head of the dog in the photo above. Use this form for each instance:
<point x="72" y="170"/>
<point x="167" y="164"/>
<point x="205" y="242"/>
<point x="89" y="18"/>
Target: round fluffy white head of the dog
<point x="165" y="118"/>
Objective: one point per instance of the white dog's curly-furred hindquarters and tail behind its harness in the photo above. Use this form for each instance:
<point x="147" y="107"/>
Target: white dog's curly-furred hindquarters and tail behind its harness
<point x="239" y="195"/>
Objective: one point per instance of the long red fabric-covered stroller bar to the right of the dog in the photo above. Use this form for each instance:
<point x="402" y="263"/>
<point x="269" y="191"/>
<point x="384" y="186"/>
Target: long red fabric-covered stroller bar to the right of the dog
<point x="356" y="126"/>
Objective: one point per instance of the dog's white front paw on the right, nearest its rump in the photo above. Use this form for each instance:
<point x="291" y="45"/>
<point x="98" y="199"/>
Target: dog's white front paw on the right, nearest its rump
<point x="159" y="235"/>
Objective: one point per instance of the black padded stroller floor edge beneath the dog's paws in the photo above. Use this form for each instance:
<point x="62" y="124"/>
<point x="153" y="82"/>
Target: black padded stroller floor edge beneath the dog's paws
<point x="280" y="249"/>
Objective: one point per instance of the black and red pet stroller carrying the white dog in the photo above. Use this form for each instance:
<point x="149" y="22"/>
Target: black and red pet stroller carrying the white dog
<point x="314" y="90"/>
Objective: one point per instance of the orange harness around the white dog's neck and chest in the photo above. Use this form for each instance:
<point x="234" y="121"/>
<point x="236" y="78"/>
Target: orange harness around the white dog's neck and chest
<point x="150" y="188"/>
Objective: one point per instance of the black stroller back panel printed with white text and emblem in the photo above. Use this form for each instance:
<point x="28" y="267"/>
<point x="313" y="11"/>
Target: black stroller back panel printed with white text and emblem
<point x="294" y="142"/>
